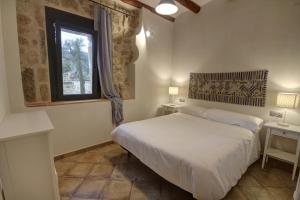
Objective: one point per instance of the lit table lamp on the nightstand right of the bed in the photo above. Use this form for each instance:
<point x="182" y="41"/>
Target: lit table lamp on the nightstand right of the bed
<point x="287" y="100"/>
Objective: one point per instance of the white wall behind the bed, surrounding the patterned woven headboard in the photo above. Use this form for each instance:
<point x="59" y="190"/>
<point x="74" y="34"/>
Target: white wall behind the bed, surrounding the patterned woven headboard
<point x="241" y="35"/>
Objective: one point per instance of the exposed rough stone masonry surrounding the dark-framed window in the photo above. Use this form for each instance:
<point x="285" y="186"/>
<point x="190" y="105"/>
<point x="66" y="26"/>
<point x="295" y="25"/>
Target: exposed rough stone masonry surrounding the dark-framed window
<point x="33" y="45"/>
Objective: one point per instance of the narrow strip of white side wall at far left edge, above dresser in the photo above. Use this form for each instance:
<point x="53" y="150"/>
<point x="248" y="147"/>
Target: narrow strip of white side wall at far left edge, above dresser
<point x="4" y="105"/>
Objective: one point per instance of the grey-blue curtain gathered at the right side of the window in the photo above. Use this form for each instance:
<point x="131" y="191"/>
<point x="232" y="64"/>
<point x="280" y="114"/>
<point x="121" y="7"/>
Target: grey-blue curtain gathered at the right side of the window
<point x="103" y="26"/>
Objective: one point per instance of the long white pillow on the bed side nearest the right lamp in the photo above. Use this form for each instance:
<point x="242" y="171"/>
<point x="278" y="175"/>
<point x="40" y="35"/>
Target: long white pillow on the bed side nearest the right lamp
<point x="249" y="122"/>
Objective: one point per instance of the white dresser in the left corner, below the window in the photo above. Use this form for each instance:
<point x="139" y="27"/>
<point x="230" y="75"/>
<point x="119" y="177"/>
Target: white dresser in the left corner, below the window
<point x="27" y="167"/>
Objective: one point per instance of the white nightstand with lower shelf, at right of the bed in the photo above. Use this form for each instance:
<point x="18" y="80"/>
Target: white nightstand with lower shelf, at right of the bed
<point x="292" y="132"/>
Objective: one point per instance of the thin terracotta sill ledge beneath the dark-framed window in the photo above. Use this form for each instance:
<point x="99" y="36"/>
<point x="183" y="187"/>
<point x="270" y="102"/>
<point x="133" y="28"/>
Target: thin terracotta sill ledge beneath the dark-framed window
<point x="59" y="103"/>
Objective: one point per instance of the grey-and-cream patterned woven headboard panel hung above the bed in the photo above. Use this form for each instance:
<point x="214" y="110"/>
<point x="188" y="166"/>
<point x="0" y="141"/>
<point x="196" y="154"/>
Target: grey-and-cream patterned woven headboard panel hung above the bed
<point x="244" y="88"/>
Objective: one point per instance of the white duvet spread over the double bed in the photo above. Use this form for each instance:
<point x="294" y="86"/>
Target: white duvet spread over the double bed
<point x="203" y="157"/>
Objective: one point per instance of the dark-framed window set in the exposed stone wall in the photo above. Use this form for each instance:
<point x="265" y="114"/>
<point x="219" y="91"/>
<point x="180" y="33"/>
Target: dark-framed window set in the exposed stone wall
<point x="72" y="56"/>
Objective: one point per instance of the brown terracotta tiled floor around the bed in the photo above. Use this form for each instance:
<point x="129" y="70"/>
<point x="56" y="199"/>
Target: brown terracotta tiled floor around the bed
<point x="107" y="173"/>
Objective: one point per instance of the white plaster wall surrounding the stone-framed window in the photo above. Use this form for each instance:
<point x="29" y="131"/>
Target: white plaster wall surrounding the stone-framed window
<point x="85" y="124"/>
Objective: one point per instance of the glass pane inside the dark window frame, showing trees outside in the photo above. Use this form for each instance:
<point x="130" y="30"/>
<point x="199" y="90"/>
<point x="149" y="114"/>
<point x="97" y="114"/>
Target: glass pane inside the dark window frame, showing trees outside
<point x="77" y="62"/>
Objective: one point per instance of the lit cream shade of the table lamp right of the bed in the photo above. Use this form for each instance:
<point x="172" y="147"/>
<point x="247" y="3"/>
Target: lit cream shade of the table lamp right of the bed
<point x="287" y="100"/>
